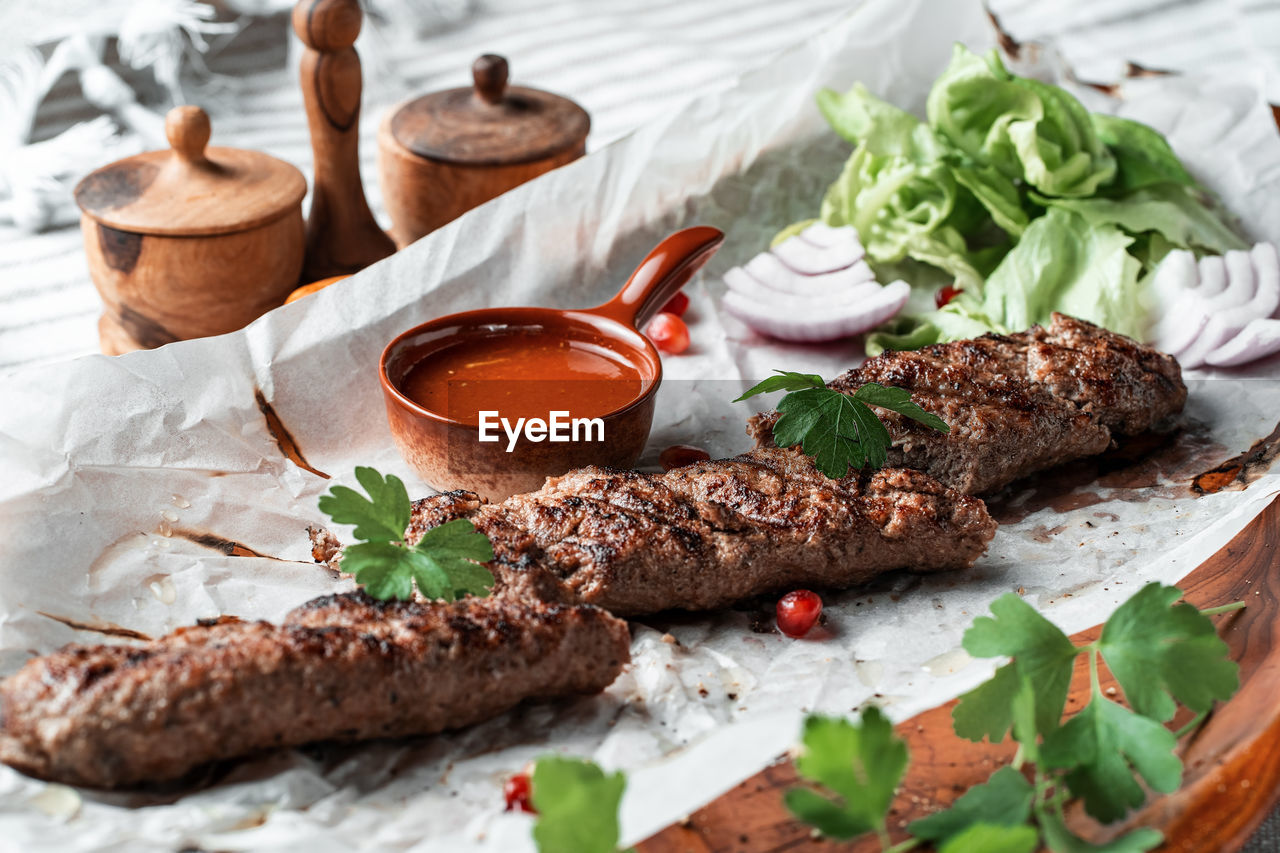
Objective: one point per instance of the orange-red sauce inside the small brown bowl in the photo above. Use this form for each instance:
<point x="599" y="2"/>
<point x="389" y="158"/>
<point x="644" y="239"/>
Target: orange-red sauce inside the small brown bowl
<point x="523" y="375"/>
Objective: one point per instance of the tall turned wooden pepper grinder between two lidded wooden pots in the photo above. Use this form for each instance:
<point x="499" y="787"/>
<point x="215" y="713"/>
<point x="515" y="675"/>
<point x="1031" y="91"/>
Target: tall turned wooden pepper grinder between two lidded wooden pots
<point x="342" y="234"/>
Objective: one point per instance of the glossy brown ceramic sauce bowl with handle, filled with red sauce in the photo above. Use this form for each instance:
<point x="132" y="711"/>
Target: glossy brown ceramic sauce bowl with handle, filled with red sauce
<point x="497" y="400"/>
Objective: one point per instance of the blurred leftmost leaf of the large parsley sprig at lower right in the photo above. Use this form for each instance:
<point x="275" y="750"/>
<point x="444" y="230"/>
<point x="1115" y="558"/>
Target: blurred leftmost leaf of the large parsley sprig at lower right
<point x="862" y="765"/>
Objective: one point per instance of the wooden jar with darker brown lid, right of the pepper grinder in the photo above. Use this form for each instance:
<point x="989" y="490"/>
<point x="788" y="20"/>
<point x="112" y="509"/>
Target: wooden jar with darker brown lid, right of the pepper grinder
<point x="442" y="154"/>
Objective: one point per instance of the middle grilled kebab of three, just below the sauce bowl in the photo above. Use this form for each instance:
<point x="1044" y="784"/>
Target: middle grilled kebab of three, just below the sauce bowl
<point x="710" y="535"/>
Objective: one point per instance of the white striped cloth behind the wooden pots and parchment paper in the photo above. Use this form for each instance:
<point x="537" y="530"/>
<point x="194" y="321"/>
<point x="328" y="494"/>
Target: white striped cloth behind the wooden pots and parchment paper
<point x="625" y="61"/>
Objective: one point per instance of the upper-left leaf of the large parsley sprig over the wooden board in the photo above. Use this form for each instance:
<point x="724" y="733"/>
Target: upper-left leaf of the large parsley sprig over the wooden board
<point x="1044" y="656"/>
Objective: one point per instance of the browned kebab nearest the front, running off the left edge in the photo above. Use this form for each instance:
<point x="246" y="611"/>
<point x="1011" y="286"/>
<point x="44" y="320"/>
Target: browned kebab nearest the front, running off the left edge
<point x="340" y="668"/>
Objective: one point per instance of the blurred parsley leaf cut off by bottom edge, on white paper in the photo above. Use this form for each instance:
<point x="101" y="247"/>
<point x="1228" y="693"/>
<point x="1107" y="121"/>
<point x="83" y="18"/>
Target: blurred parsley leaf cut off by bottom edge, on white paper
<point x="578" y="806"/>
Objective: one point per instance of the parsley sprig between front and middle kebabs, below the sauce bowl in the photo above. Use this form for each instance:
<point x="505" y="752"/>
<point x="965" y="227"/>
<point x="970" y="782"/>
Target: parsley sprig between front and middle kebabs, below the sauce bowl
<point x="445" y="564"/>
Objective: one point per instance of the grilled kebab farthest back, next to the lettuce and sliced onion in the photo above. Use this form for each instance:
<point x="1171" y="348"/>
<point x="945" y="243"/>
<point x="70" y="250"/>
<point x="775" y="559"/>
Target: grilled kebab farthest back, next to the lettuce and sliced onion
<point x="1017" y="404"/>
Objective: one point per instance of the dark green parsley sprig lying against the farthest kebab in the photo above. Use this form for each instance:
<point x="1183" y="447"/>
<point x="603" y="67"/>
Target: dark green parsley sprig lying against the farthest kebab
<point x="839" y="431"/>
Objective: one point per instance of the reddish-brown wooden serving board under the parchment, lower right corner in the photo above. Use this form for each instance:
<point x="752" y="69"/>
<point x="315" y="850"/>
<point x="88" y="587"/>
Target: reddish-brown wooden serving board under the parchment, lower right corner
<point x="1232" y="778"/>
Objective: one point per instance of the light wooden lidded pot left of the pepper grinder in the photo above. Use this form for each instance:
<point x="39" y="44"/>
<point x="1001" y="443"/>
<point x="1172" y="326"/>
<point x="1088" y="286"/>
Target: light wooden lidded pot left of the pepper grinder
<point x="191" y="241"/>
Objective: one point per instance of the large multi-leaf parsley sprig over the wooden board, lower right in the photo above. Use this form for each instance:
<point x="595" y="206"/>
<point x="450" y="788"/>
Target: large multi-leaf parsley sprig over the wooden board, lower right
<point x="1162" y="654"/>
